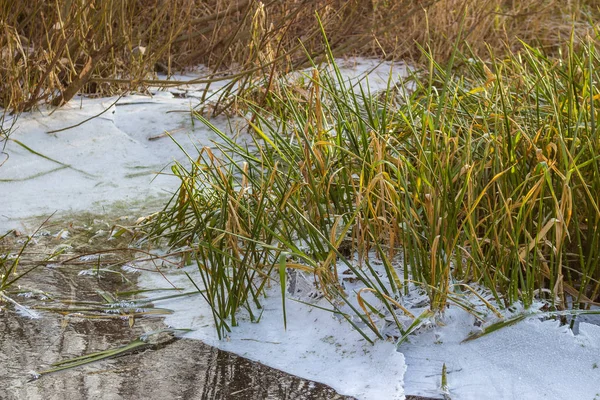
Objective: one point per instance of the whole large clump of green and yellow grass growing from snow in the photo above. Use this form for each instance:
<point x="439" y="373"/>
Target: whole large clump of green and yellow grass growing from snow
<point x="484" y="172"/>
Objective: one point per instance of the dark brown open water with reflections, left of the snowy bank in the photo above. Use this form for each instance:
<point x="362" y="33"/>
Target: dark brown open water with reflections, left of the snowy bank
<point x="172" y="369"/>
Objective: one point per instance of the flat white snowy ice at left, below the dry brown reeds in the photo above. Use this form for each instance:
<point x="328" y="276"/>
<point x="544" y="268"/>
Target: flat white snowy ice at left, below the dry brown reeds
<point x="105" y="160"/>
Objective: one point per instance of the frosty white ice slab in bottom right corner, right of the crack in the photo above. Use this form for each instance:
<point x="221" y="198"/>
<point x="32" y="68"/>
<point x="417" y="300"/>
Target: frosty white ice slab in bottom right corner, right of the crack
<point x="531" y="360"/>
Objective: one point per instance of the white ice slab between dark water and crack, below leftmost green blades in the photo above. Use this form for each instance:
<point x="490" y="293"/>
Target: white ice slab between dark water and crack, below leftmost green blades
<point x="316" y="345"/>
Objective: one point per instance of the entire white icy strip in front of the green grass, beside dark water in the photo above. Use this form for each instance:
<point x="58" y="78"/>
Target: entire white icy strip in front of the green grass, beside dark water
<point x="533" y="359"/>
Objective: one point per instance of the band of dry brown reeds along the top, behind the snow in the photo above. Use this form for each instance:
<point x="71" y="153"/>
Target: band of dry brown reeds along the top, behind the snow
<point x="51" y="50"/>
